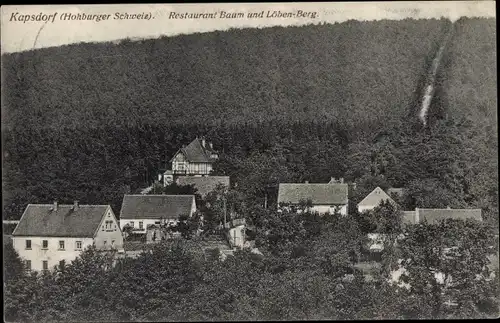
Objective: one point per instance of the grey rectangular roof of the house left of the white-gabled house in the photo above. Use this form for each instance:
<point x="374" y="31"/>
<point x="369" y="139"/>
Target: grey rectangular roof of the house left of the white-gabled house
<point x="320" y="194"/>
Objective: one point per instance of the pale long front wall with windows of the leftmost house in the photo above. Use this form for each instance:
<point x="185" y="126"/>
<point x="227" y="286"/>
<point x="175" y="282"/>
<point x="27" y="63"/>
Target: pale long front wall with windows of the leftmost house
<point x="52" y="254"/>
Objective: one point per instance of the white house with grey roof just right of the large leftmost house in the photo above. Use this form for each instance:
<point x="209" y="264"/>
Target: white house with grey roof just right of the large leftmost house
<point x="139" y="211"/>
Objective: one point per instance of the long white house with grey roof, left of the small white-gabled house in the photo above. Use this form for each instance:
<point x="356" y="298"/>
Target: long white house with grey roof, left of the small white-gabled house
<point x="326" y="198"/>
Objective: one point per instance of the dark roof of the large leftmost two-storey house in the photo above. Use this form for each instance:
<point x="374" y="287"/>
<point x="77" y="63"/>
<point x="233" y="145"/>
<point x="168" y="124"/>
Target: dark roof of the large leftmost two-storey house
<point x="40" y="220"/>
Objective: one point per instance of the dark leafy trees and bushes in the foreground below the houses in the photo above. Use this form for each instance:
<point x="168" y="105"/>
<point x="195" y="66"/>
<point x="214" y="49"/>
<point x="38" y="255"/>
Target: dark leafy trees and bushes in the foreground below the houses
<point x="312" y="276"/>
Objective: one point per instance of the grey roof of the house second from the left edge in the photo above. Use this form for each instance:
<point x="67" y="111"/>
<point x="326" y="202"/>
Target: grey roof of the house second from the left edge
<point x="156" y="206"/>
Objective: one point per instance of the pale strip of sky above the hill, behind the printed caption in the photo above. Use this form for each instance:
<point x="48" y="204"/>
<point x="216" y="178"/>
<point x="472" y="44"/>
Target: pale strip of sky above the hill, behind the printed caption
<point x="20" y="36"/>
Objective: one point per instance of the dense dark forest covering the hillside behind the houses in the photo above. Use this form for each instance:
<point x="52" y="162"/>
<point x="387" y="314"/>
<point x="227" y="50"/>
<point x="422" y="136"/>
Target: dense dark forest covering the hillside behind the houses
<point x="94" y="121"/>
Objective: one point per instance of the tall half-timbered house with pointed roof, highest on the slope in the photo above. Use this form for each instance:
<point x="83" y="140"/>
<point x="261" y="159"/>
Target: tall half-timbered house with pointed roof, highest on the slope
<point x="195" y="159"/>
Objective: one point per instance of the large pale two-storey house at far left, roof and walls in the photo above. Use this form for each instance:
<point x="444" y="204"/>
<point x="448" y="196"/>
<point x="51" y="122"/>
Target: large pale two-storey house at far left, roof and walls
<point x="50" y="235"/>
